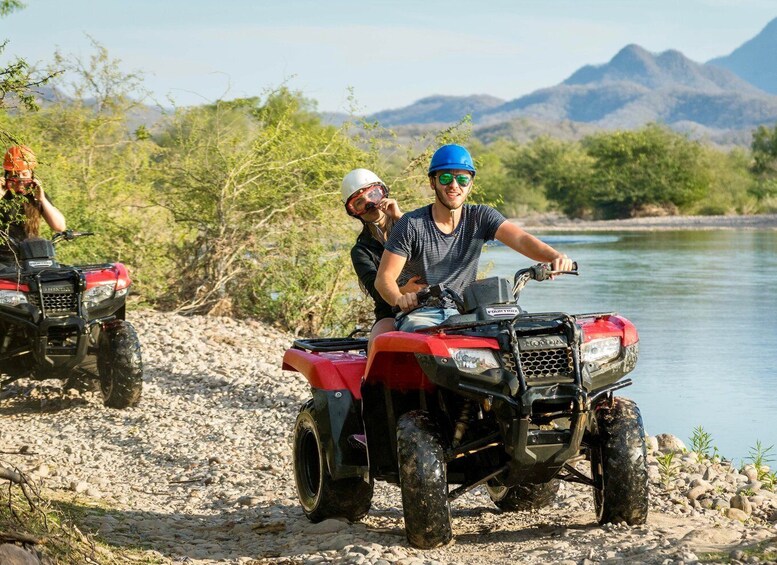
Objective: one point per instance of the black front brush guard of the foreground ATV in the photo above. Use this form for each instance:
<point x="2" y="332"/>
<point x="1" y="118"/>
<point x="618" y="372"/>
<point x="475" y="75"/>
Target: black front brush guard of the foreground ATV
<point x="534" y="454"/>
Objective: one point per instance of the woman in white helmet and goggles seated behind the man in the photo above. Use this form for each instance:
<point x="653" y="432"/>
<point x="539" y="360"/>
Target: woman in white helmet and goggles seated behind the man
<point x="366" y="198"/>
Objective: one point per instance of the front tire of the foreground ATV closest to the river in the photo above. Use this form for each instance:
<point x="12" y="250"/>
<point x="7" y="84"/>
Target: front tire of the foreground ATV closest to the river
<point x="619" y="464"/>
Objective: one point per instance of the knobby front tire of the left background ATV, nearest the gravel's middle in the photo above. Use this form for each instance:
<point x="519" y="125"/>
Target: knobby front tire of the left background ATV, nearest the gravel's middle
<point x="120" y="365"/>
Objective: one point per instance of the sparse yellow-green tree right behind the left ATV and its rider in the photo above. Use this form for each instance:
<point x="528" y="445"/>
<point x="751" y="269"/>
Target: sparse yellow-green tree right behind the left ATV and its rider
<point x="96" y="172"/>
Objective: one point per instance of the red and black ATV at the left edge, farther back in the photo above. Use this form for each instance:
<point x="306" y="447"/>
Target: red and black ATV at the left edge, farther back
<point x="67" y="322"/>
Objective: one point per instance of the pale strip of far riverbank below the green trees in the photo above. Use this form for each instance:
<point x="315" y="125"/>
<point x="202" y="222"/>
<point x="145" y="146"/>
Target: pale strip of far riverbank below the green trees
<point x="553" y="222"/>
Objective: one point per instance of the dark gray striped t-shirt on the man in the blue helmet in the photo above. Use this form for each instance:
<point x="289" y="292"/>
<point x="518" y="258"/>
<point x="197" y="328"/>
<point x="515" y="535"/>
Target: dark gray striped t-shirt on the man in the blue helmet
<point x="450" y="259"/>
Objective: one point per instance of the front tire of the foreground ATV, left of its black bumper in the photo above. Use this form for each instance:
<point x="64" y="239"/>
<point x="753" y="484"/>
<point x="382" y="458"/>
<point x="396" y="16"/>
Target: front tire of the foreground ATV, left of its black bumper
<point x="423" y="481"/>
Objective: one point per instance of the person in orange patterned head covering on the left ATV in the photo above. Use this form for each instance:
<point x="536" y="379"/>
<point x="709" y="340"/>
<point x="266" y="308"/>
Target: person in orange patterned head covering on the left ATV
<point x="23" y="203"/>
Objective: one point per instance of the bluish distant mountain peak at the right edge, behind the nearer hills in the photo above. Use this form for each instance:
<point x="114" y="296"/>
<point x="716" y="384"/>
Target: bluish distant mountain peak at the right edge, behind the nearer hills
<point x="754" y="60"/>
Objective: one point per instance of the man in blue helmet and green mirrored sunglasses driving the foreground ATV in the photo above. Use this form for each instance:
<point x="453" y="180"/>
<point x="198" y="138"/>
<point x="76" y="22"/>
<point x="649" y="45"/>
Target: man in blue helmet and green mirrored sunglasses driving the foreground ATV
<point x="441" y="243"/>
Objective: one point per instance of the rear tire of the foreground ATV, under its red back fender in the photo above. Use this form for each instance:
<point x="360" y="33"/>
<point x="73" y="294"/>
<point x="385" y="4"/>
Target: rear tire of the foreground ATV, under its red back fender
<point x="321" y="496"/>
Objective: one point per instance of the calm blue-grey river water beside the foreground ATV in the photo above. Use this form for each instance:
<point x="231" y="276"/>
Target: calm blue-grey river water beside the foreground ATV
<point x="705" y="306"/>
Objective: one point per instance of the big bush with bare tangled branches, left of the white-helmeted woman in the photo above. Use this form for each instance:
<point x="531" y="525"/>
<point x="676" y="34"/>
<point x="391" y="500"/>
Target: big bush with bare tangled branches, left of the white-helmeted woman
<point x="255" y="184"/>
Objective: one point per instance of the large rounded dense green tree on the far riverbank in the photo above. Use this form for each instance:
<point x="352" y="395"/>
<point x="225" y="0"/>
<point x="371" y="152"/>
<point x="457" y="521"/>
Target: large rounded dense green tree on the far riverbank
<point x="651" y="168"/>
